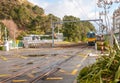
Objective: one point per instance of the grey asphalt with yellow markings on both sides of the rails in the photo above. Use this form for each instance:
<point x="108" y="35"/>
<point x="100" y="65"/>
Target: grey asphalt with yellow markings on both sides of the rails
<point x="68" y="70"/>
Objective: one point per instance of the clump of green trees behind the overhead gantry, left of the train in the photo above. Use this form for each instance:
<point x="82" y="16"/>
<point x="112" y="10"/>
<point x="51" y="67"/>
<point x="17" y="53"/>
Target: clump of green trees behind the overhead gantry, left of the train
<point x="76" y="31"/>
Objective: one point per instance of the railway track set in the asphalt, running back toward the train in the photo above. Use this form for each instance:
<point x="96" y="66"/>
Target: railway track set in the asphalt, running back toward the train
<point x="52" y="66"/>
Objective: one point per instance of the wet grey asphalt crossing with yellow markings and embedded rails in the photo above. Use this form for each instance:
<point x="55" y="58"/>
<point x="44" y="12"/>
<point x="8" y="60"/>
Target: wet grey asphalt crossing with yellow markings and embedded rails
<point x="21" y="62"/>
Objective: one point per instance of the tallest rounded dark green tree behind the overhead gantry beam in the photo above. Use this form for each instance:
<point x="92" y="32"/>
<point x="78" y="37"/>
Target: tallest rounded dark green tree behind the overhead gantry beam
<point x="71" y="30"/>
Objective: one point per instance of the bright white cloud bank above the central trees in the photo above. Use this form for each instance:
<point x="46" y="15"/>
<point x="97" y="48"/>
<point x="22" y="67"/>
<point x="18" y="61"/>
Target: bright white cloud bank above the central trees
<point x="76" y="8"/>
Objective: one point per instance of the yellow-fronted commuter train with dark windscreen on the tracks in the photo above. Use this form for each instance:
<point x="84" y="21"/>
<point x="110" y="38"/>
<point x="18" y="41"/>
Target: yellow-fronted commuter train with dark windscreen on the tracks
<point x="91" y="38"/>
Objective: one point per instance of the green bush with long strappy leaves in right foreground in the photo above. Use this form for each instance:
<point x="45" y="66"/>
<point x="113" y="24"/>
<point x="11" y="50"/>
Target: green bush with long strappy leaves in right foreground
<point x="105" y="70"/>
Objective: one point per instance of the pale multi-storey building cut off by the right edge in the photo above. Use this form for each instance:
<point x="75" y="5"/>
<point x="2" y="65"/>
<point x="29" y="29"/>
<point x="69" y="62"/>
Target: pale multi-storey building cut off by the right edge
<point x="116" y="23"/>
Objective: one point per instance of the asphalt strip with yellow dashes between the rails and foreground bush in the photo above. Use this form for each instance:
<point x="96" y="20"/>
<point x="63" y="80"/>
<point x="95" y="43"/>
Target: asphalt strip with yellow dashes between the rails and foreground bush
<point x="68" y="71"/>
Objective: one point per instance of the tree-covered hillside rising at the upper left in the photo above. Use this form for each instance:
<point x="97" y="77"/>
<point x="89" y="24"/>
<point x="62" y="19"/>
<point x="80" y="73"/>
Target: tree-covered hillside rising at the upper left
<point x="28" y="17"/>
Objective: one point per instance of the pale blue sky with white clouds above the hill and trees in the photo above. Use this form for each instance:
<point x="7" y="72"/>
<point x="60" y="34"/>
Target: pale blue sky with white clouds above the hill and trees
<point x="83" y="9"/>
